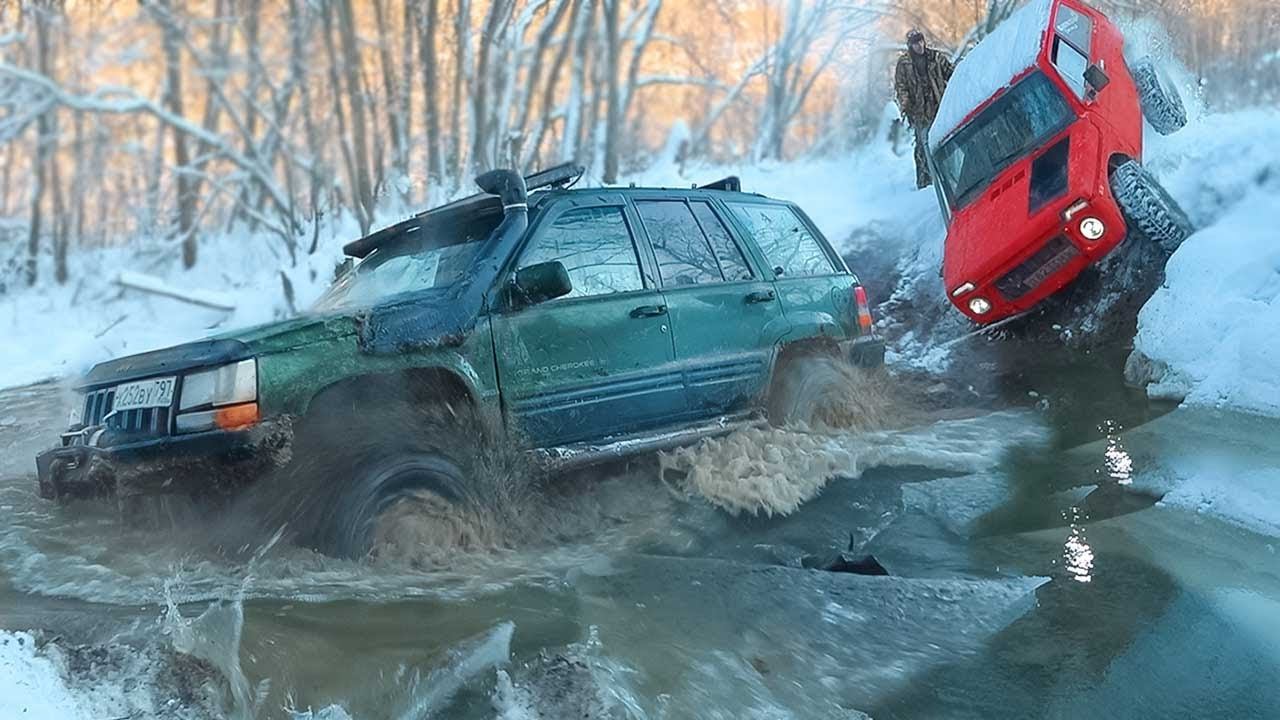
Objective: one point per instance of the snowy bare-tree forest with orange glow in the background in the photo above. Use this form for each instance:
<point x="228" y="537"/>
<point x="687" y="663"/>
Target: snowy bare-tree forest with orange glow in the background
<point x="170" y="121"/>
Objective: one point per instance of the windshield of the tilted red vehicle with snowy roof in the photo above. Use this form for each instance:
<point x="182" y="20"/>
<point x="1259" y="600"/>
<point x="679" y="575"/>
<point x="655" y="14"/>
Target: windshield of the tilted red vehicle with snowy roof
<point x="1020" y="122"/>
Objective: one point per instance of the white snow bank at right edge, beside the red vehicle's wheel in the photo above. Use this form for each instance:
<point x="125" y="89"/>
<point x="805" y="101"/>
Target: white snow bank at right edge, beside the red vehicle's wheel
<point x="1212" y="335"/>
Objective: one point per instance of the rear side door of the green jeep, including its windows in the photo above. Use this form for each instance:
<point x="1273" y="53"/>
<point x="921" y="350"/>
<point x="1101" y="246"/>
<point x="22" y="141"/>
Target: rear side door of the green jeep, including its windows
<point x="723" y="312"/>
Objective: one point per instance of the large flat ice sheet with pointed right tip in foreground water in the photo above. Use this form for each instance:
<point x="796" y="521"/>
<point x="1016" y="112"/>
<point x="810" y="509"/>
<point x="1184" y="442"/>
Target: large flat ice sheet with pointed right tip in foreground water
<point x="803" y="641"/>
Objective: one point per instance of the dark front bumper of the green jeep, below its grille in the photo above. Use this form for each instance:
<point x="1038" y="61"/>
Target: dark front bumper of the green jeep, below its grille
<point x="190" y="464"/>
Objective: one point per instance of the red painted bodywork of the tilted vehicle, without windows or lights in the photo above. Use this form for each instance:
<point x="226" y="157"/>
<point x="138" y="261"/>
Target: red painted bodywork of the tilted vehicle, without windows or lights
<point x="996" y="233"/>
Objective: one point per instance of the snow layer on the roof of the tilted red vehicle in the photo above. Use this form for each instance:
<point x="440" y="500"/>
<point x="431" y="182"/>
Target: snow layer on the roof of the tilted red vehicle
<point x="990" y="67"/>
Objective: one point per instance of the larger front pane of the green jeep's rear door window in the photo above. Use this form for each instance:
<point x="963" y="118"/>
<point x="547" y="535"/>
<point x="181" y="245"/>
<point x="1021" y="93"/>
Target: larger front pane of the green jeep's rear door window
<point x="679" y="244"/>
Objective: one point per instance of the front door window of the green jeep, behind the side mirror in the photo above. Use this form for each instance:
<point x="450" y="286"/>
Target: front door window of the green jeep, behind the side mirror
<point x="596" y="247"/>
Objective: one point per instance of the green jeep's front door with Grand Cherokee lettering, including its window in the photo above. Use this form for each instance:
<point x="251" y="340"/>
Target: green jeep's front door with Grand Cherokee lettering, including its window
<point x="598" y="362"/>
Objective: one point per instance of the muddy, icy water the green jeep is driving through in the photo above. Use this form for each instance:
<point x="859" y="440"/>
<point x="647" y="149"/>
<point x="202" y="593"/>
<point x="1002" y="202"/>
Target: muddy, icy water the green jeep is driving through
<point x="1027" y="581"/>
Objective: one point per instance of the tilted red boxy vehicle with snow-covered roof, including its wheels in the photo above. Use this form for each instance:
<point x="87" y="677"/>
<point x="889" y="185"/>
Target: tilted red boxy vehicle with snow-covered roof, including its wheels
<point x="1037" y="158"/>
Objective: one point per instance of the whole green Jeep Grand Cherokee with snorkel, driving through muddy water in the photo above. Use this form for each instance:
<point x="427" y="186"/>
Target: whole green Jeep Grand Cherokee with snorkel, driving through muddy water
<point x="584" y="325"/>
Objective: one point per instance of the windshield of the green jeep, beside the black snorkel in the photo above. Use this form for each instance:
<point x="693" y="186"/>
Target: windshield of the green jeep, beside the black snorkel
<point x="438" y="259"/>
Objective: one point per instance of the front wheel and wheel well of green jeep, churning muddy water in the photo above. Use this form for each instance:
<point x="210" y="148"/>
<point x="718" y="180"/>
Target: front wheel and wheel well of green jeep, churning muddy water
<point x="371" y="475"/>
